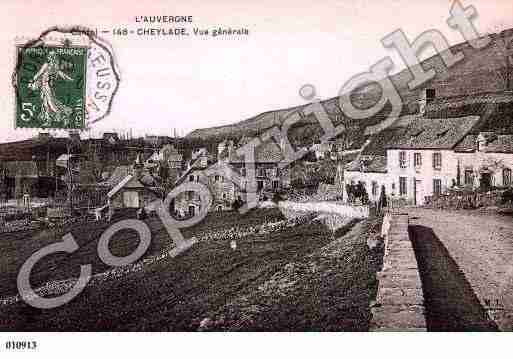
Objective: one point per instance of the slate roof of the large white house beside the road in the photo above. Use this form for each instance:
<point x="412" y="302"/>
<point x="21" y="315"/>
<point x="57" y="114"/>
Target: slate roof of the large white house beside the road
<point x="434" y="133"/>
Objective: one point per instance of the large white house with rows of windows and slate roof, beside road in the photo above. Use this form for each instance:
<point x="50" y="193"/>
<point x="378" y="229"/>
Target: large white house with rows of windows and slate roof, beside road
<point x="426" y="157"/>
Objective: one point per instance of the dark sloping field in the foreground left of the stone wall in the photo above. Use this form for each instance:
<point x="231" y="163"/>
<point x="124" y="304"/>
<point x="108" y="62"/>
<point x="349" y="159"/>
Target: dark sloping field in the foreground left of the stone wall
<point x="178" y="294"/>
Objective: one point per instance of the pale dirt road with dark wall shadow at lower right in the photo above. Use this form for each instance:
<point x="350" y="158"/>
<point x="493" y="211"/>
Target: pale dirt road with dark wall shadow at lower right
<point x="467" y="261"/>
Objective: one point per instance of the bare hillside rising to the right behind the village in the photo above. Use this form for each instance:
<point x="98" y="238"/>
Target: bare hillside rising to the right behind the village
<point x="481" y="71"/>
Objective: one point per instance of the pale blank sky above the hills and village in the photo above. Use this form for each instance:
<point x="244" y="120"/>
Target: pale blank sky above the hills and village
<point x="192" y="82"/>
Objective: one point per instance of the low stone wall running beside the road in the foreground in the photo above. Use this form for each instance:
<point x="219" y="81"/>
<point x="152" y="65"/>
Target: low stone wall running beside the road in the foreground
<point x="400" y="301"/>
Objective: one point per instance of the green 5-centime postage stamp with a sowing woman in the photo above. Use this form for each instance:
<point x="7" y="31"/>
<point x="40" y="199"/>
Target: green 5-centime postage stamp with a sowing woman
<point x="51" y="87"/>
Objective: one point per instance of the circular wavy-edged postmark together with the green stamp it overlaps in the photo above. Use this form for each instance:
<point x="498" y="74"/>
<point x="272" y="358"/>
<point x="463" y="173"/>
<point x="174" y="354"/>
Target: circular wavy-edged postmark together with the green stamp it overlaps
<point x="64" y="79"/>
